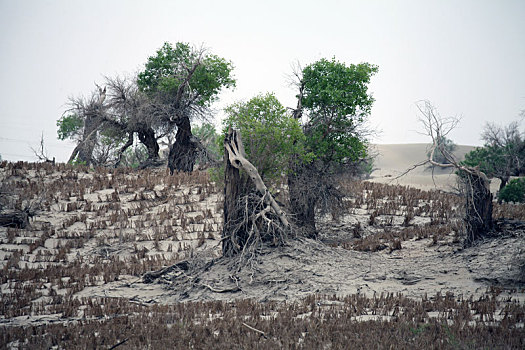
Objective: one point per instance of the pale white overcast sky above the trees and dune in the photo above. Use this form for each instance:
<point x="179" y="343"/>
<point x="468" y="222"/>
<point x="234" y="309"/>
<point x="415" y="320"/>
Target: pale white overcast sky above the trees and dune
<point x="467" y="57"/>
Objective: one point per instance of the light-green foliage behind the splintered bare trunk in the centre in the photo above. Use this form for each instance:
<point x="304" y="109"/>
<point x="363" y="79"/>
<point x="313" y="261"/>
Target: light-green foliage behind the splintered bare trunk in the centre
<point x="270" y="136"/>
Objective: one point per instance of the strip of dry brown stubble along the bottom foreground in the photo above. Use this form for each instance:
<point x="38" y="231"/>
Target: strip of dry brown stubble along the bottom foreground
<point x="311" y="323"/>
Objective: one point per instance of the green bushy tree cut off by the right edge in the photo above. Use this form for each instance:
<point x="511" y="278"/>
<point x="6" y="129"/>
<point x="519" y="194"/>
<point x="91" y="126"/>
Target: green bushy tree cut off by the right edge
<point x="503" y="154"/>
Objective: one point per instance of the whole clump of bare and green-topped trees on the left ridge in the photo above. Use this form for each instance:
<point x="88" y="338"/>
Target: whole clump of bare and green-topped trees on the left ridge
<point x="177" y="84"/>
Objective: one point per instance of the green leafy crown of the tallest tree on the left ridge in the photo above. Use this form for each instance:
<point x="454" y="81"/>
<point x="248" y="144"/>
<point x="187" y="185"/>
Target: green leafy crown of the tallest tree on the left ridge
<point x="169" y="68"/>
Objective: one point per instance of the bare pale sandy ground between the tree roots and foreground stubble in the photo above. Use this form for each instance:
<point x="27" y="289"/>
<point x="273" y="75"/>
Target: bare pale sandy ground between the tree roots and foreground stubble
<point x="304" y="266"/>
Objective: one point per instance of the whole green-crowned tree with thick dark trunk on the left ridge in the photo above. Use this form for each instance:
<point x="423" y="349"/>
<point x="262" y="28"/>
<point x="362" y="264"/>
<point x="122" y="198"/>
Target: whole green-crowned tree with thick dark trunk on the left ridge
<point x="186" y="81"/>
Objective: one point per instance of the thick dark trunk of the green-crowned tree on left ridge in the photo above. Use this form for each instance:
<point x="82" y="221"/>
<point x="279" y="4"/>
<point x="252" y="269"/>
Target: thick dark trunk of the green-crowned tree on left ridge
<point x="183" y="151"/>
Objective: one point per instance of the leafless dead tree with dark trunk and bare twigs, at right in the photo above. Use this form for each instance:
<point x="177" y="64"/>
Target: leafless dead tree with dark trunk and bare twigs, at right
<point x="475" y="184"/>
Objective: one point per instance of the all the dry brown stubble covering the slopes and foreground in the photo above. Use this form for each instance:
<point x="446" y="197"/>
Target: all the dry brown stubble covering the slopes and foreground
<point x="98" y="229"/>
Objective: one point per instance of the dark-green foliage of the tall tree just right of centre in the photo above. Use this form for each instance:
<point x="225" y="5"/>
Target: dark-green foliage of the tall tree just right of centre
<point x="336" y="101"/>
